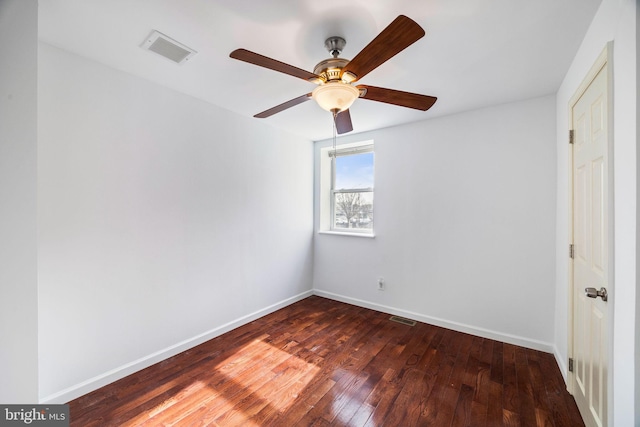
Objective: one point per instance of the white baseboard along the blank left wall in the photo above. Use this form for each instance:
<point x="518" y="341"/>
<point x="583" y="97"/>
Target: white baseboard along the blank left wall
<point x="96" y="382"/>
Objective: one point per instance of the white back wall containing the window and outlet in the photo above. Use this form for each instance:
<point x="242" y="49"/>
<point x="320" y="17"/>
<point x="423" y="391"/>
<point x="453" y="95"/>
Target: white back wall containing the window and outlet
<point x="464" y="224"/>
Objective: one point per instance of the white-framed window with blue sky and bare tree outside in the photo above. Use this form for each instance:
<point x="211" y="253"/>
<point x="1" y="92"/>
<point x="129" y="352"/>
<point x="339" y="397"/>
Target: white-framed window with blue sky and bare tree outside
<point x="348" y="195"/>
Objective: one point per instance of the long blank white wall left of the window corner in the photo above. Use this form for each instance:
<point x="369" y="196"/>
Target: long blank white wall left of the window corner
<point x="163" y="221"/>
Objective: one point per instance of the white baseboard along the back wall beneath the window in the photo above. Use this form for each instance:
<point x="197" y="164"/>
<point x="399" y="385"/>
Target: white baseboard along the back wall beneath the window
<point x="460" y="327"/>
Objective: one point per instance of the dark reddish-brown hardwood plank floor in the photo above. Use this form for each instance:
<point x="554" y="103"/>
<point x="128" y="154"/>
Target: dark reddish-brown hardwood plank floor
<point x="322" y="363"/>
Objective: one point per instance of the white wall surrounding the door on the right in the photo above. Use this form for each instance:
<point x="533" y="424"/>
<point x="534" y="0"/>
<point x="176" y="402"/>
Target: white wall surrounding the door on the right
<point x="616" y="21"/>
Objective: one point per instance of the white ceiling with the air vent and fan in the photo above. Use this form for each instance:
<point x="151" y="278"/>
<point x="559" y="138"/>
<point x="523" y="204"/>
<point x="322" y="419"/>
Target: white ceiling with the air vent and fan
<point x="475" y="53"/>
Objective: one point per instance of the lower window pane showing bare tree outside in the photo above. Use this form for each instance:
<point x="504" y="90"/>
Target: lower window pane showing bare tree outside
<point x="353" y="210"/>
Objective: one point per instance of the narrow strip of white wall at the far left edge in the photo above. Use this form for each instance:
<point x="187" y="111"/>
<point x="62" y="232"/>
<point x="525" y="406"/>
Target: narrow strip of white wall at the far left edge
<point x="18" y="233"/>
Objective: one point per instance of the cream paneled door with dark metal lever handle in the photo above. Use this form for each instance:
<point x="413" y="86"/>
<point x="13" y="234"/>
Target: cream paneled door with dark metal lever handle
<point x="591" y="242"/>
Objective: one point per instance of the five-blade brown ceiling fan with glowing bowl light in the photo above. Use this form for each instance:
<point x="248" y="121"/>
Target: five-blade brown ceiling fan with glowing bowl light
<point x="334" y="76"/>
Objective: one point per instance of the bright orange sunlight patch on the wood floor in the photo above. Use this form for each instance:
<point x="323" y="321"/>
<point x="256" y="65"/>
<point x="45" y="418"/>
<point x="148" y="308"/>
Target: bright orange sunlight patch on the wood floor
<point x="257" y="379"/>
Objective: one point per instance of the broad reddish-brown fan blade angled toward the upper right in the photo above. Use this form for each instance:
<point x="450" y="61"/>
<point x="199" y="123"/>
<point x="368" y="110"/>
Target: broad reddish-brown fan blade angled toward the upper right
<point x="398" y="35"/>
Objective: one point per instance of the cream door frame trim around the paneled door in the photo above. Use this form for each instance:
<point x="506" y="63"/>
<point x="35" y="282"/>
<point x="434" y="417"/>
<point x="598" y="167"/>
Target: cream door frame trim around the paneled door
<point x="604" y="59"/>
